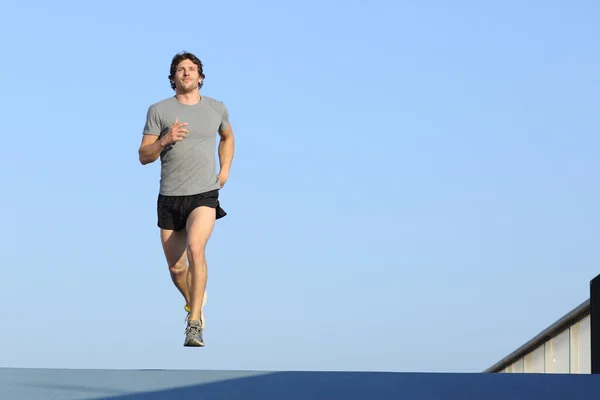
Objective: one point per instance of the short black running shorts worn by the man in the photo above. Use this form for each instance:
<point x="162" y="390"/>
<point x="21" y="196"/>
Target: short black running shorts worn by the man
<point x="173" y="211"/>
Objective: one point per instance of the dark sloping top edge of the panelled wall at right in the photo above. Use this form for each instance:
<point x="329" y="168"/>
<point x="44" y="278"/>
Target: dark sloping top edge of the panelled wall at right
<point x="559" y="326"/>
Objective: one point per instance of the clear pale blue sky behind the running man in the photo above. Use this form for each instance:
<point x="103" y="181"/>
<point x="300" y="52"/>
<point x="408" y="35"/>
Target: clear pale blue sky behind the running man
<point x="414" y="185"/>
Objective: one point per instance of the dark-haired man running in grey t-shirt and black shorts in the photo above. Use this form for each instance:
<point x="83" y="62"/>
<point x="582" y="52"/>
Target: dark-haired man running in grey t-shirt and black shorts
<point x="182" y="131"/>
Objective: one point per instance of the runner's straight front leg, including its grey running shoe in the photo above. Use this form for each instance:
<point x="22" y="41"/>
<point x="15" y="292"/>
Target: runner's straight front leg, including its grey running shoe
<point x="200" y="224"/>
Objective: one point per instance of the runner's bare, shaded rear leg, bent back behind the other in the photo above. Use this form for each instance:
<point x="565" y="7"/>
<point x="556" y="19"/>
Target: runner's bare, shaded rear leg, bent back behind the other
<point x="174" y="246"/>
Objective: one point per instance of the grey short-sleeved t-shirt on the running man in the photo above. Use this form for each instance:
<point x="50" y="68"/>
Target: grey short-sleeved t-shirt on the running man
<point x="188" y="167"/>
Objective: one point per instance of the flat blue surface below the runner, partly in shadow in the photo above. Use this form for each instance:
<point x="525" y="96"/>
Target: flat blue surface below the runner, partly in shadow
<point x="64" y="384"/>
